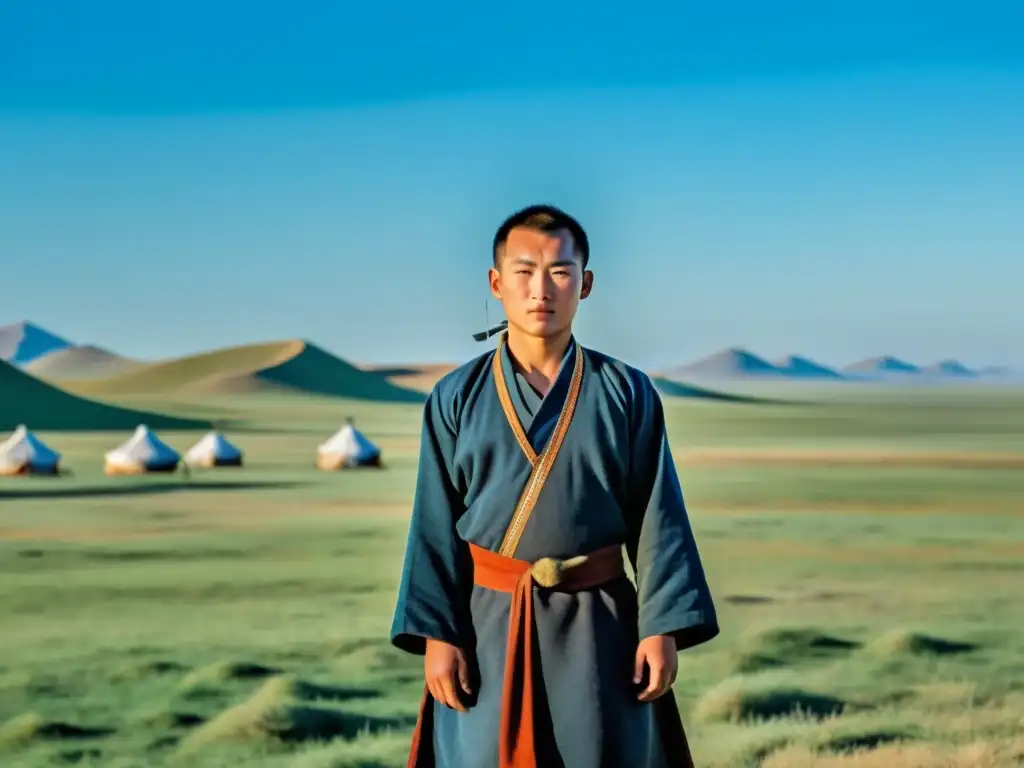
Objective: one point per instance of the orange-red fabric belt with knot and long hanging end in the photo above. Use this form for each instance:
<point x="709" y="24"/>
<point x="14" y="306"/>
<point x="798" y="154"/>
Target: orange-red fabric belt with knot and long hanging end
<point x="518" y="748"/>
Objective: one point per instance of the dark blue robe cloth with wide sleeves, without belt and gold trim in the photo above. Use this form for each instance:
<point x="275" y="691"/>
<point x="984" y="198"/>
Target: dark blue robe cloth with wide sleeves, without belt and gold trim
<point x="614" y="483"/>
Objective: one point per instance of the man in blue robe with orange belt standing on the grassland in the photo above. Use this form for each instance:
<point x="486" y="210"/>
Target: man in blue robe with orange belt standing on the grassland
<point x="539" y="462"/>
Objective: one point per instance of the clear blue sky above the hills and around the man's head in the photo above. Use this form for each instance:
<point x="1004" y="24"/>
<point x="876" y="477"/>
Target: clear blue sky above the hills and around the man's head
<point x="833" y="180"/>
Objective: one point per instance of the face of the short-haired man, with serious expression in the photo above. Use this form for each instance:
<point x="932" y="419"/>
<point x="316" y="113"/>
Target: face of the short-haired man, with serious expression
<point x="540" y="282"/>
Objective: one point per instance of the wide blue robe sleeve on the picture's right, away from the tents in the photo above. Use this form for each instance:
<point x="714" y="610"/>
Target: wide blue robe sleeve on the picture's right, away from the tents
<point x="672" y="589"/>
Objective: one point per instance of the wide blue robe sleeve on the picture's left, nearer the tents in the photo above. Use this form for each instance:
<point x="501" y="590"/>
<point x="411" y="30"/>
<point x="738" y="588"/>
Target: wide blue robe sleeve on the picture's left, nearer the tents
<point x="433" y="599"/>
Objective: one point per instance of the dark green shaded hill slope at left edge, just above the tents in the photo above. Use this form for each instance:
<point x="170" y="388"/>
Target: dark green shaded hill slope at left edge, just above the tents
<point x="26" y="400"/>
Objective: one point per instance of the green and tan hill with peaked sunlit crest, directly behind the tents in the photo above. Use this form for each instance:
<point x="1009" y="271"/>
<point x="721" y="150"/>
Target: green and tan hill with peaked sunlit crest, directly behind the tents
<point x="296" y="366"/>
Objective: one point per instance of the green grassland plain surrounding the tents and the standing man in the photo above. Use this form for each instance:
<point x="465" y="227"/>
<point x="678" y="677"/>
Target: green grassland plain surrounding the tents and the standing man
<point x="867" y="552"/>
